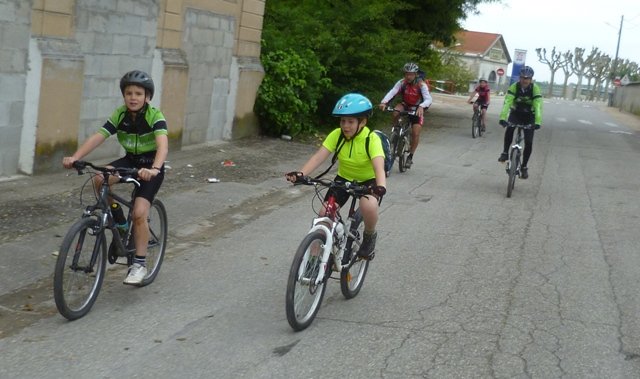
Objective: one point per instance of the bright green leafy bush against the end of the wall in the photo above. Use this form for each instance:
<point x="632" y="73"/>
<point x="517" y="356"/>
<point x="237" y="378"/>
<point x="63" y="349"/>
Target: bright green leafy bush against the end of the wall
<point x="288" y="96"/>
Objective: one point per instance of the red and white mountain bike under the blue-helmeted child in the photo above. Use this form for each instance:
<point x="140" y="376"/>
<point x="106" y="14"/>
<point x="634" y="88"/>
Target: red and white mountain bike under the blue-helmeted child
<point x="326" y="248"/>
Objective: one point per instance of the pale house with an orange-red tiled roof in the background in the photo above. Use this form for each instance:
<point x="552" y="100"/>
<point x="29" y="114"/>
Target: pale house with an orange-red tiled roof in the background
<point x="486" y="55"/>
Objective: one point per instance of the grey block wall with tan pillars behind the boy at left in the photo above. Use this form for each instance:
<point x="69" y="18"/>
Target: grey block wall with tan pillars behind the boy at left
<point x="61" y="61"/>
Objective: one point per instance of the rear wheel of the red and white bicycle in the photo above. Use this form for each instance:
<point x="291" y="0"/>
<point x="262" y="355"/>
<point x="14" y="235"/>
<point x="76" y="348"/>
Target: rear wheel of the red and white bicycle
<point x="351" y="284"/>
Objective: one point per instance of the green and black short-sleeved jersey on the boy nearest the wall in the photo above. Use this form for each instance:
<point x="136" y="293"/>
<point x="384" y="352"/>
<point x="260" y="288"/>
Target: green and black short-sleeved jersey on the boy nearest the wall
<point x="137" y="136"/>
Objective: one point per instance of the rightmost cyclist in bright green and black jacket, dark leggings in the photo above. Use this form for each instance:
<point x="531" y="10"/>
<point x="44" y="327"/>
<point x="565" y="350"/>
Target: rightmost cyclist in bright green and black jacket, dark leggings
<point x="522" y="106"/>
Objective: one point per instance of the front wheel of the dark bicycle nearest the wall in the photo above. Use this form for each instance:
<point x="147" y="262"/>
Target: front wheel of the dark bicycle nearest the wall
<point x="76" y="274"/>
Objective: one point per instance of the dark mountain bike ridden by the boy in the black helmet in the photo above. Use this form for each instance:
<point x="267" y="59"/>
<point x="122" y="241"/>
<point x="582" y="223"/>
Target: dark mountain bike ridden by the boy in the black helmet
<point x="82" y="258"/>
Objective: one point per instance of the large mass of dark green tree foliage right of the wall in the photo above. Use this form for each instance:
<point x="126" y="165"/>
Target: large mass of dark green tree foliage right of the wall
<point x="358" y="46"/>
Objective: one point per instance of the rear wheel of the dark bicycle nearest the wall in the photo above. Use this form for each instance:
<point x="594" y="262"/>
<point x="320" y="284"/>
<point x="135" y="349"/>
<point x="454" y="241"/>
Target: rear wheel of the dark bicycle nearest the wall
<point x="157" y="241"/>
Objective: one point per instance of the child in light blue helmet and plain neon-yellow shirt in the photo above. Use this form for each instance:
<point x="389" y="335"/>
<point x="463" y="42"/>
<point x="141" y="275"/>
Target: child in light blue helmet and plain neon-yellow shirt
<point x="354" y="162"/>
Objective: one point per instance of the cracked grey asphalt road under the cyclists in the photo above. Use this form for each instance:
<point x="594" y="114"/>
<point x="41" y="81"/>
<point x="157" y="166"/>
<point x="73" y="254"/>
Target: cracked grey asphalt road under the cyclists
<point x="466" y="283"/>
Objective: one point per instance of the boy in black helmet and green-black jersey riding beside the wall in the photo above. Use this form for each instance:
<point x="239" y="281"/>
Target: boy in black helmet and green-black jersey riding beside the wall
<point x="142" y="132"/>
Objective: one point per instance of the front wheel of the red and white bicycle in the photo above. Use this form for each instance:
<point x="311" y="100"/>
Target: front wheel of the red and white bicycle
<point x="300" y="285"/>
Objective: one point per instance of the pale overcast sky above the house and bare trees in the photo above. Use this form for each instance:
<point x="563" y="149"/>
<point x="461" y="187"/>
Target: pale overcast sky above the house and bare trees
<point x="565" y="24"/>
